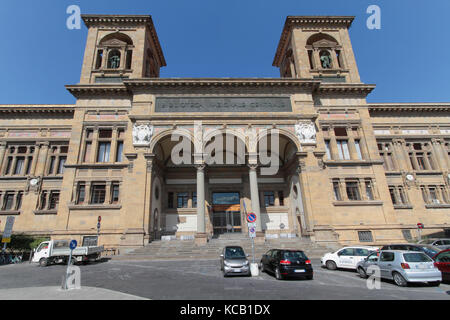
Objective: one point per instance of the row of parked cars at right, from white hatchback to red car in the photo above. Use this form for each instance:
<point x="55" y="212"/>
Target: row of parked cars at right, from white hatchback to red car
<point x="402" y="263"/>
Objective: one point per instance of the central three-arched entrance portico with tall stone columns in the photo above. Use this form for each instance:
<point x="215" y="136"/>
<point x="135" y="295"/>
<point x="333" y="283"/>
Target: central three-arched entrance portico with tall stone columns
<point x="229" y="181"/>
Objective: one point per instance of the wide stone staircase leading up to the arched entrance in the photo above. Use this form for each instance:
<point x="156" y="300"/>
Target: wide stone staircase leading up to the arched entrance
<point x="187" y="249"/>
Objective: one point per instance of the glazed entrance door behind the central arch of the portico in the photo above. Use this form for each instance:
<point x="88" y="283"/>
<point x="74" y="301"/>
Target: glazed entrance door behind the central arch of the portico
<point x="226" y="212"/>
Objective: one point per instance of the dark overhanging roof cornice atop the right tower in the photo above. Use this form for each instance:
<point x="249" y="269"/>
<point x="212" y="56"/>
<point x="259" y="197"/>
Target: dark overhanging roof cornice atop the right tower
<point x="294" y="21"/>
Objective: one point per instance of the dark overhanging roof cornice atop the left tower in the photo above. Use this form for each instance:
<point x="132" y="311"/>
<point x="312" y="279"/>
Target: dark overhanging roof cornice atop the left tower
<point x="95" y="20"/>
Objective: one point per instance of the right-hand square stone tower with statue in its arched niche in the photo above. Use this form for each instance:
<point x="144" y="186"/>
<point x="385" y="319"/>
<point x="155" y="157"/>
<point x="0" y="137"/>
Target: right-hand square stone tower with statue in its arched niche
<point x="315" y="47"/>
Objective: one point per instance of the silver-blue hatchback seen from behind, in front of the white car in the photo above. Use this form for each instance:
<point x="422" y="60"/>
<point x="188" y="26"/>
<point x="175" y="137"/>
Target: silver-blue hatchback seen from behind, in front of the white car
<point x="402" y="267"/>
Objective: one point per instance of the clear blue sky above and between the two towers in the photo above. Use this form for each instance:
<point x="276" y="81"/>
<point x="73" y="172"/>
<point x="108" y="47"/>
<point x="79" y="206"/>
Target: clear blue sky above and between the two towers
<point x="408" y="59"/>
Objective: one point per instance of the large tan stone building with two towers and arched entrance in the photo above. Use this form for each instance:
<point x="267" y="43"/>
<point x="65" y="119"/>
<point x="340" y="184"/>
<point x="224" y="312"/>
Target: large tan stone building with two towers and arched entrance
<point x="348" y="171"/>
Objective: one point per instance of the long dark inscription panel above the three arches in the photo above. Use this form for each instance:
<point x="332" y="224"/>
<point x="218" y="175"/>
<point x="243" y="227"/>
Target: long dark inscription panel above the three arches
<point x="266" y="104"/>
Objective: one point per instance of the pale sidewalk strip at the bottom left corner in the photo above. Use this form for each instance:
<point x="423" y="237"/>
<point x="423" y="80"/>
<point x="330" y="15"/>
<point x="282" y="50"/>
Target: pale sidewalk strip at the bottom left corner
<point x="56" y="293"/>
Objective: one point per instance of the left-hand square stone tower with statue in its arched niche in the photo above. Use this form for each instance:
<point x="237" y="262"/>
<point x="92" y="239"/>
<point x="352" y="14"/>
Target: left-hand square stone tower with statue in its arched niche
<point x="120" y="47"/>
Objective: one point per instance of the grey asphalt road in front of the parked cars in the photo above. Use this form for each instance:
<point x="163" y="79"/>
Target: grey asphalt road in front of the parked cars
<point x="203" y="280"/>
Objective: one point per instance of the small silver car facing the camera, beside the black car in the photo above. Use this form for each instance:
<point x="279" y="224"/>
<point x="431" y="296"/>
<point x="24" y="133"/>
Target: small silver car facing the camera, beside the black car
<point x="233" y="261"/>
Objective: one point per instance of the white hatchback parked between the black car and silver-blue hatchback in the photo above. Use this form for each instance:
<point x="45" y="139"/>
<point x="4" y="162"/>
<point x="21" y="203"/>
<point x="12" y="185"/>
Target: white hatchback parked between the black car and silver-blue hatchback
<point x="347" y="257"/>
